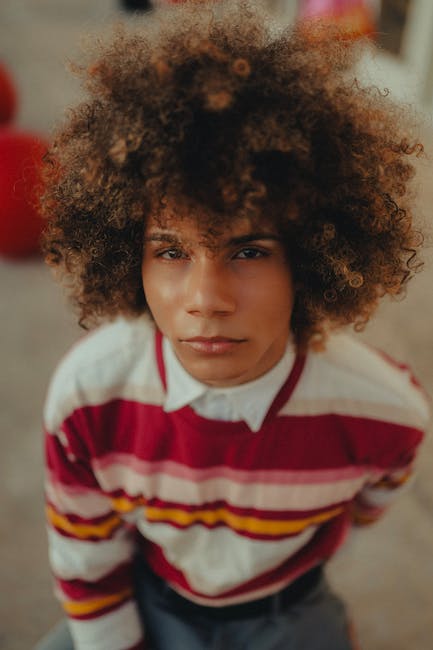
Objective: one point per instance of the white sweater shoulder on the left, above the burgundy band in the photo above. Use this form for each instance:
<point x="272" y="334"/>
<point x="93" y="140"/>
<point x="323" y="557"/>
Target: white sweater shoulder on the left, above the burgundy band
<point x="116" y="360"/>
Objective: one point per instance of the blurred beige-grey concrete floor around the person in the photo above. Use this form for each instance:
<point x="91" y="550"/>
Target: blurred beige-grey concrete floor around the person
<point x="385" y="573"/>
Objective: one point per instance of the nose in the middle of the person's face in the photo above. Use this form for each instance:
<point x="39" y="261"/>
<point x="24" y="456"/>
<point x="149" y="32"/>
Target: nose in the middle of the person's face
<point x="209" y="289"/>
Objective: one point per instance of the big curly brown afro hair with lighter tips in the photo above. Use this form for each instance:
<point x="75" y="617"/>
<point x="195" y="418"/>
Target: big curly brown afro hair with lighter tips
<point x="218" y="111"/>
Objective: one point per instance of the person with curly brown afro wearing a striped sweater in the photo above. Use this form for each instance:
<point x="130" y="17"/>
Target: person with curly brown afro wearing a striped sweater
<point x="226" y="201"/>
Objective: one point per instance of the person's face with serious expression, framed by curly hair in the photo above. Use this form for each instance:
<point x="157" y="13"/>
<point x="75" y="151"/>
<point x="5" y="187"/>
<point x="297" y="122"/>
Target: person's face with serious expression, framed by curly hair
<point x="224" y="305"/>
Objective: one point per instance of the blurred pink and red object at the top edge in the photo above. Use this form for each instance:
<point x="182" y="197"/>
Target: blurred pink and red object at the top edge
<point x="355" y="17"/>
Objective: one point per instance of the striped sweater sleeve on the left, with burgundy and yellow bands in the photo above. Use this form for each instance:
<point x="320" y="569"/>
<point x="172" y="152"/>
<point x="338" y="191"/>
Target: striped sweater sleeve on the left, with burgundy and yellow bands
<point x="90" y="549"/>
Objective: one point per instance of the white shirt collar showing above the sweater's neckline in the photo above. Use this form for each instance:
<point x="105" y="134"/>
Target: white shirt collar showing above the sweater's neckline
<point x="249" y="402"/>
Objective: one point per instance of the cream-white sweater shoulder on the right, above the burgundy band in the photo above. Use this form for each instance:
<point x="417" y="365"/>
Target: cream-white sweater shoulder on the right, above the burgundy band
<point x="352" y="378"/>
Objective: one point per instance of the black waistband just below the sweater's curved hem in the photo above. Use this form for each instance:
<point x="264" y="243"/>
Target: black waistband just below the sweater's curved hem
<point x="281" y="600"/>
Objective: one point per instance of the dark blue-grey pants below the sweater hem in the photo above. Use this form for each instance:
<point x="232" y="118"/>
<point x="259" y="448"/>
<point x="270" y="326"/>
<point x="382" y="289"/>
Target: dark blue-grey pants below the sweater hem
<point x="317" y="622"/>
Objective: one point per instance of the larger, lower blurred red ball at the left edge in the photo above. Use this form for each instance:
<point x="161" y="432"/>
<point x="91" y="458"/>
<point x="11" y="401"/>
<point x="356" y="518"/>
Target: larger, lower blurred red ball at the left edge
<point x="21" y="156"/>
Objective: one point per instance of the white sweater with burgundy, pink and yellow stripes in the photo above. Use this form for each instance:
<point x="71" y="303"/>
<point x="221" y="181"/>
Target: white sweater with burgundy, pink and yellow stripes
<point x="223" y="514"/>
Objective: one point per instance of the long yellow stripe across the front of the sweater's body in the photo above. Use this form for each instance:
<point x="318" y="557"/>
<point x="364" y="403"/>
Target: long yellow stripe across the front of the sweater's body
<point x="238" y="522"/>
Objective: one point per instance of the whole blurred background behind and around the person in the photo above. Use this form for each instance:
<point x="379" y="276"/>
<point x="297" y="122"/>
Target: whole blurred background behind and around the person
<point x="385" y="573"/>
